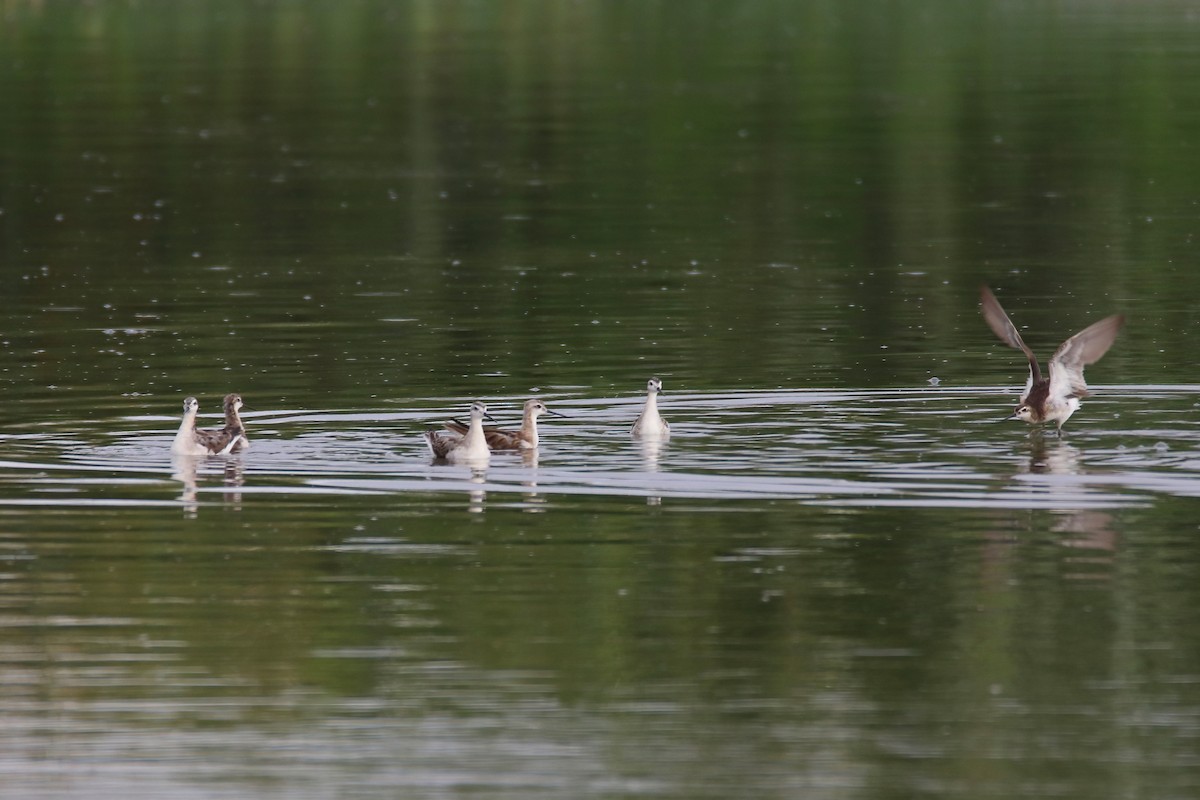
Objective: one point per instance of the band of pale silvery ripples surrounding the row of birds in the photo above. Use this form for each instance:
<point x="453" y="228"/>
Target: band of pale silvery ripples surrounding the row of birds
<point x="927" y="448"/>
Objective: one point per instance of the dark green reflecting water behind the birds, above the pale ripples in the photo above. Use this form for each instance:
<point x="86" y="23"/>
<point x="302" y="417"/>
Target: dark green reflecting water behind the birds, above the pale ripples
<point x="584" y="194"/>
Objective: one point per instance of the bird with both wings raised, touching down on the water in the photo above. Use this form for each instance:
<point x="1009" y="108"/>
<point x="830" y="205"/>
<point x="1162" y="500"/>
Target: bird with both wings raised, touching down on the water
<point x="1054" y="399"/>
